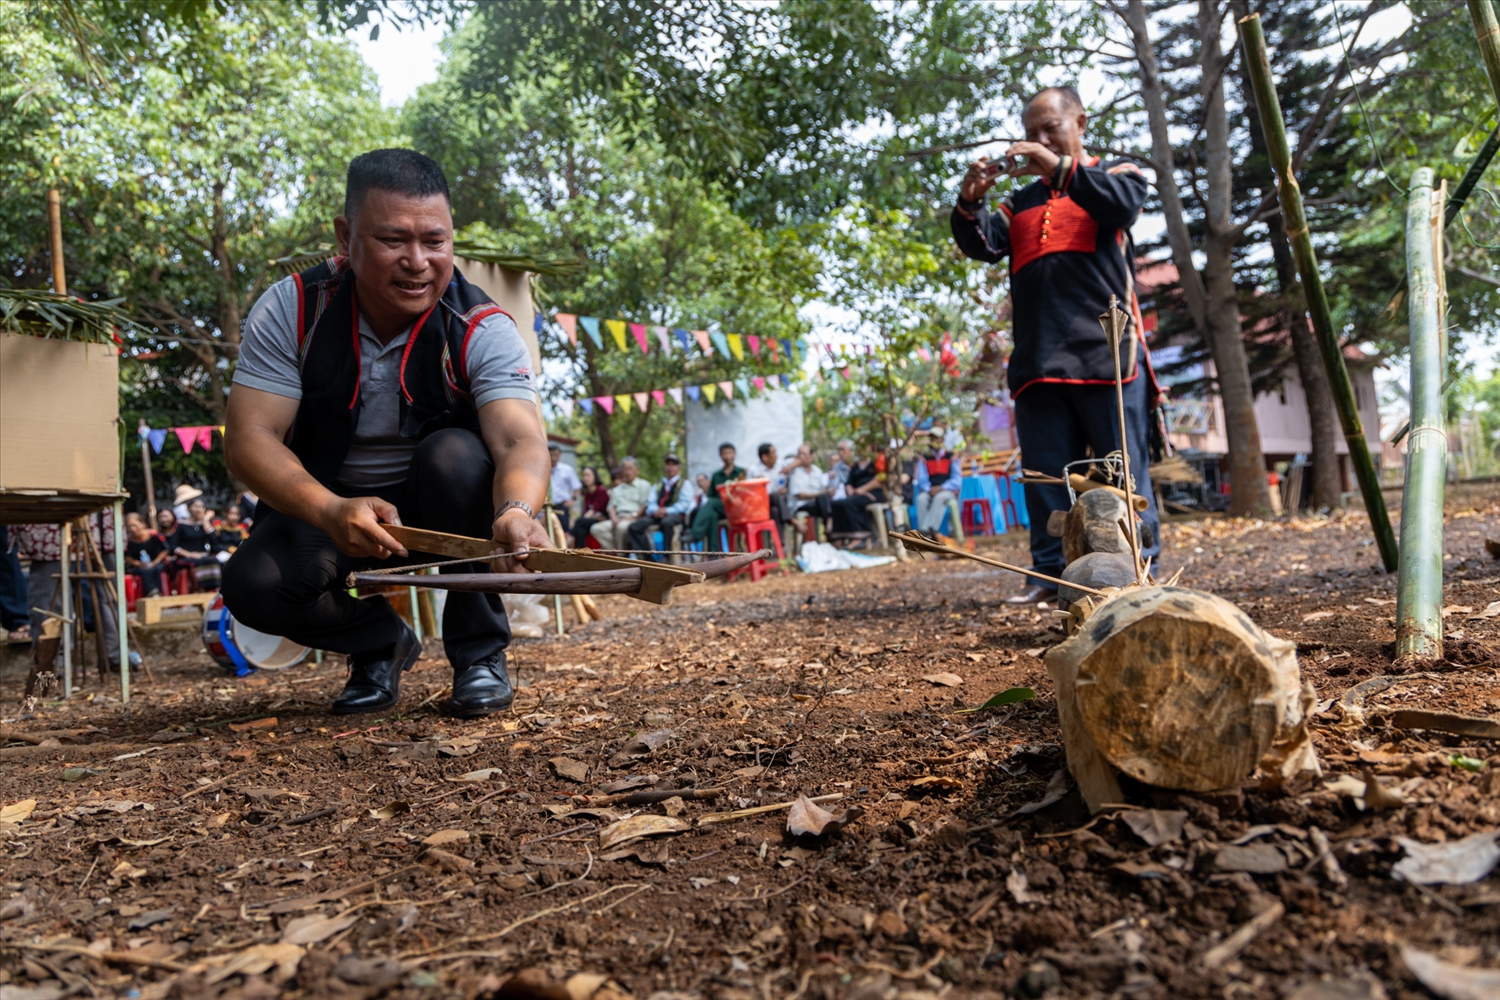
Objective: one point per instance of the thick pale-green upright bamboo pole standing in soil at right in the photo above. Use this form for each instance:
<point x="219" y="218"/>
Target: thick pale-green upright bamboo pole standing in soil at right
<point x="1420" y="588"/>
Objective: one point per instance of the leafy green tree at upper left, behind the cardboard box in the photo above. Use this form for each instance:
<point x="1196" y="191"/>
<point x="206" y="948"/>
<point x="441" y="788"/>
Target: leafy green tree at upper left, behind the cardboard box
<point x="193" y="145"/>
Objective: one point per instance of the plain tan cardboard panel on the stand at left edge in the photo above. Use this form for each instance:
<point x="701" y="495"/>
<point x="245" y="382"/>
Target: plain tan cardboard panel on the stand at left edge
<point x="59" y="416"/>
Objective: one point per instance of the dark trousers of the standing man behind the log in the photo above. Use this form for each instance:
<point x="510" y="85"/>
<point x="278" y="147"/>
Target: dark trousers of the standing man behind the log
<point x="1058" y="425"/>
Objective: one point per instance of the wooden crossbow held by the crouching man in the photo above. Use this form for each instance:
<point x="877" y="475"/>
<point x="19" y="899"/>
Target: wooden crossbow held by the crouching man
<point x="548" y="570"/>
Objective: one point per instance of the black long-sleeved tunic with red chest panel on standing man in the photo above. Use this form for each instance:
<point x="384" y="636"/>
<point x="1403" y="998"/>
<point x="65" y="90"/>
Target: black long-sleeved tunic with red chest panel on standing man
<point x="1070" y="251"/>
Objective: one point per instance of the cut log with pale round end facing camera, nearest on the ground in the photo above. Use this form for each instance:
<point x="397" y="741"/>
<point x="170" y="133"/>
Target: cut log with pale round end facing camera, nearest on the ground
<point x="1181" y="690"/>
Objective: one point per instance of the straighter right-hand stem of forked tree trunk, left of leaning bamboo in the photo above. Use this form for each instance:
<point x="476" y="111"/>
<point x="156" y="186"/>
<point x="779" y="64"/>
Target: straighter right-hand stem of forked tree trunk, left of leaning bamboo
<point x="1249" y="490"/>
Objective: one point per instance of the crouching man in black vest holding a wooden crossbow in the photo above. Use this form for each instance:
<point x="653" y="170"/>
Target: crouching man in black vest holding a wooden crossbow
<point x="382" y="389"/>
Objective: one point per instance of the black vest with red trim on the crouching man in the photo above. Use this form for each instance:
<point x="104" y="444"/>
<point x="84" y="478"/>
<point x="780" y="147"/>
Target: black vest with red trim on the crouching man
<point x="434" y="379"/>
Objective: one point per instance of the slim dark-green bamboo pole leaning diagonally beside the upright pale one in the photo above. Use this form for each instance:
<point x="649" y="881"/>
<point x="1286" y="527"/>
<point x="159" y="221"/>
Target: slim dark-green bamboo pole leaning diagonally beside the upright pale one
<point x="1297" y="229"/>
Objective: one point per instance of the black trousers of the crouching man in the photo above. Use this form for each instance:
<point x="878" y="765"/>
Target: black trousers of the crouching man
<point x="289" y="579"/>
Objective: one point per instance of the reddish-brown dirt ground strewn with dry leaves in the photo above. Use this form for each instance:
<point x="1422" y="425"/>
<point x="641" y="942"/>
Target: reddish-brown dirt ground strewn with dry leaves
<point x="229" y="839"/>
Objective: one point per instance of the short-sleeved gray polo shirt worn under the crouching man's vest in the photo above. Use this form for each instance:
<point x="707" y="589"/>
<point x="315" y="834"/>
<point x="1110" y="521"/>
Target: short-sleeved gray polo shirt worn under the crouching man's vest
<point x="499" y="368"/>
